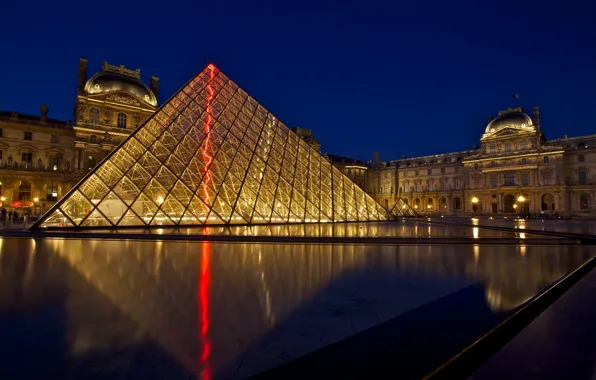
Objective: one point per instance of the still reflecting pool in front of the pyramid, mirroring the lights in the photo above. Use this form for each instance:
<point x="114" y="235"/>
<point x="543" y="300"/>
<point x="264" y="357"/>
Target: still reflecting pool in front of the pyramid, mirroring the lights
<point x="76" y="308"/>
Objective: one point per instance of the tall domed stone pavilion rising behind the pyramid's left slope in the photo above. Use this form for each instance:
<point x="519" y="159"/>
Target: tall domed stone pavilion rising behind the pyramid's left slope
<point x="110" y="105"/>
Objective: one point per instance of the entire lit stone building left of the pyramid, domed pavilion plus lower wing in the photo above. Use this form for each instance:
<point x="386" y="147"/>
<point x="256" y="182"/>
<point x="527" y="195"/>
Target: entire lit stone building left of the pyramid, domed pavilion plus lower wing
<point x="41" y="159"/>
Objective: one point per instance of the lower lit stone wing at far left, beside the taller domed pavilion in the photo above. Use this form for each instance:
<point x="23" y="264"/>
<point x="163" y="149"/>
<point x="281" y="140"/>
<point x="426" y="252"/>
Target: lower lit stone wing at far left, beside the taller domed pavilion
<point x="36" y="156"/>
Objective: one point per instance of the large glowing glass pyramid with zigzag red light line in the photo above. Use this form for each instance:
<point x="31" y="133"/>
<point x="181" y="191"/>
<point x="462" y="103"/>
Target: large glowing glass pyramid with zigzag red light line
<point x="212" y="155"/>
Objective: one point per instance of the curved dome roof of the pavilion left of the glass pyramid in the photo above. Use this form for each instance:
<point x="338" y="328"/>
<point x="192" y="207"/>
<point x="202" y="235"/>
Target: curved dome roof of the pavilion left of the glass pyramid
<point x="107" y="82"/>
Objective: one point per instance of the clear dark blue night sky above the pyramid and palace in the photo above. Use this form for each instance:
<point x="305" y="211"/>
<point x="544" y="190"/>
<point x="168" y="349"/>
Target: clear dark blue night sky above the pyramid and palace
<point x="414" y="78"/>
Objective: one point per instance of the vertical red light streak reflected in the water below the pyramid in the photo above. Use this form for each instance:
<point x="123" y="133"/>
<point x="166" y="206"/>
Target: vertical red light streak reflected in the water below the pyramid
<point x="203" y="302"/>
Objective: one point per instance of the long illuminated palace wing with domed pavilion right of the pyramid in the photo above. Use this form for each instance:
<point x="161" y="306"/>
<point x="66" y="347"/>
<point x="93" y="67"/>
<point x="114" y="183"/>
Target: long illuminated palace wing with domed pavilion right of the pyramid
<point x="515" y="170"/>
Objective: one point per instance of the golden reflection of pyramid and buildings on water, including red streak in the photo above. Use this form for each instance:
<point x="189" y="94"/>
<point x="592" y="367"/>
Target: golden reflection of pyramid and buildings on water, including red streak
<point x="206" y="303"/>
